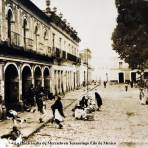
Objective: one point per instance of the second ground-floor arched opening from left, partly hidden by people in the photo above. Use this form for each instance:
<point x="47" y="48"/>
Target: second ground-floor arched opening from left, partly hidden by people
<point x="26" y="81"/>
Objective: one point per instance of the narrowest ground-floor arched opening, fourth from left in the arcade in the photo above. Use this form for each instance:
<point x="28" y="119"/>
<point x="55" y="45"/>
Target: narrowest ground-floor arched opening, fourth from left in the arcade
<point x="47" y="79"/>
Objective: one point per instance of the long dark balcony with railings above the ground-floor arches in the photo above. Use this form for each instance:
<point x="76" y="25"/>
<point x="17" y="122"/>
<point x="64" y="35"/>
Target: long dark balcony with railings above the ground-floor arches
<point x="13" y="48"/>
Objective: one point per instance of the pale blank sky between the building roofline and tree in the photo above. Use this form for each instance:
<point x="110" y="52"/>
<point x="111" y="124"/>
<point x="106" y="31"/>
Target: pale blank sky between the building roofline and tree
<point x="94" y="20"/>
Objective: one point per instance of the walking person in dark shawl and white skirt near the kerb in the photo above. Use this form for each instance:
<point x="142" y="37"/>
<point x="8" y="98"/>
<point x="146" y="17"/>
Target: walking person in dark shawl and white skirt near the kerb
<point x="58" y="114"/>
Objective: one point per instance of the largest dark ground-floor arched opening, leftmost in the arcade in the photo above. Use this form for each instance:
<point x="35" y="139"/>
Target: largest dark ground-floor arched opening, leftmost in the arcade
<point x="11" y="87"/>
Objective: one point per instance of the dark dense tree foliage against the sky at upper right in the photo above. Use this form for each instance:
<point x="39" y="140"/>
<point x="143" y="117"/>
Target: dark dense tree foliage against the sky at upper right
<point x="130" y="37"/>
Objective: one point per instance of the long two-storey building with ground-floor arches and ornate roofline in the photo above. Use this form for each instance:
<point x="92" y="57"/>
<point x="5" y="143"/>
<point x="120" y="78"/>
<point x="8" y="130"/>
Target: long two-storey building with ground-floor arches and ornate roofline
<point x="36" y="47"/>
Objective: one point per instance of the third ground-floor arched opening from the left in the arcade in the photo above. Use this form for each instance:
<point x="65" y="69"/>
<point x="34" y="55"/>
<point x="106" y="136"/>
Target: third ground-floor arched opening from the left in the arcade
<point x="38" y="77"/>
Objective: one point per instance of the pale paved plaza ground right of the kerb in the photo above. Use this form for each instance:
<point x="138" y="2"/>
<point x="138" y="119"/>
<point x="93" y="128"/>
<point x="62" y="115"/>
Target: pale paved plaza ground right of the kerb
<point x="121" y="120"/>
